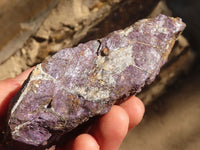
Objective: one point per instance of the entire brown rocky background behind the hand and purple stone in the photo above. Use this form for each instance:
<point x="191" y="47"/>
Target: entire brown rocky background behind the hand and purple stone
<point x="33" y="30"/>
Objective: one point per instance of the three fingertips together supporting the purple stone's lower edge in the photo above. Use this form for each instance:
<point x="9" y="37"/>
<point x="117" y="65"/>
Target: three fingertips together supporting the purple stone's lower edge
<point x="109" y="131"/>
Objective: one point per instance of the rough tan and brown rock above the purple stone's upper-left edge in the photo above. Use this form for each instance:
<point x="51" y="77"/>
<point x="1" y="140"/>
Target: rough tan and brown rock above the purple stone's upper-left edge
<point x="63" y="24"/>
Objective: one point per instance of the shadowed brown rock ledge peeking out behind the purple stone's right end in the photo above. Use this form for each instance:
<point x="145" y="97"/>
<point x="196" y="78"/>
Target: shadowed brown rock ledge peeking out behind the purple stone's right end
<point x="179" y="62"/>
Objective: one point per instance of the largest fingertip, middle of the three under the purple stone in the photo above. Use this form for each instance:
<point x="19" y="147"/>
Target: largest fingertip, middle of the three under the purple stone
<point x="111" y="128"/>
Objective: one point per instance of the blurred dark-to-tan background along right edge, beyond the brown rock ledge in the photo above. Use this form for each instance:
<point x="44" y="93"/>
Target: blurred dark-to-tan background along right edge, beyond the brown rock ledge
<point x="173" y="120"/>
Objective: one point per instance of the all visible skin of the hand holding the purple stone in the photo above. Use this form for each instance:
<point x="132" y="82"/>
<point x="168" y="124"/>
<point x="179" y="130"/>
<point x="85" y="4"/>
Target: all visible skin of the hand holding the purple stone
<point x="107" y="133"/>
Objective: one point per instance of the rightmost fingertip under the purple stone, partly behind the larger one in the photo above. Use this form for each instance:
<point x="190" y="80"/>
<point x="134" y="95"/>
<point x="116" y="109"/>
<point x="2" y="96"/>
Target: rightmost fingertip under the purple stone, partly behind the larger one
<point x="135" y="110"/>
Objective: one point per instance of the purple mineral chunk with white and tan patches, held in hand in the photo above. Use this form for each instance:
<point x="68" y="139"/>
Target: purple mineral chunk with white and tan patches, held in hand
<point x="78" y="83"/>
